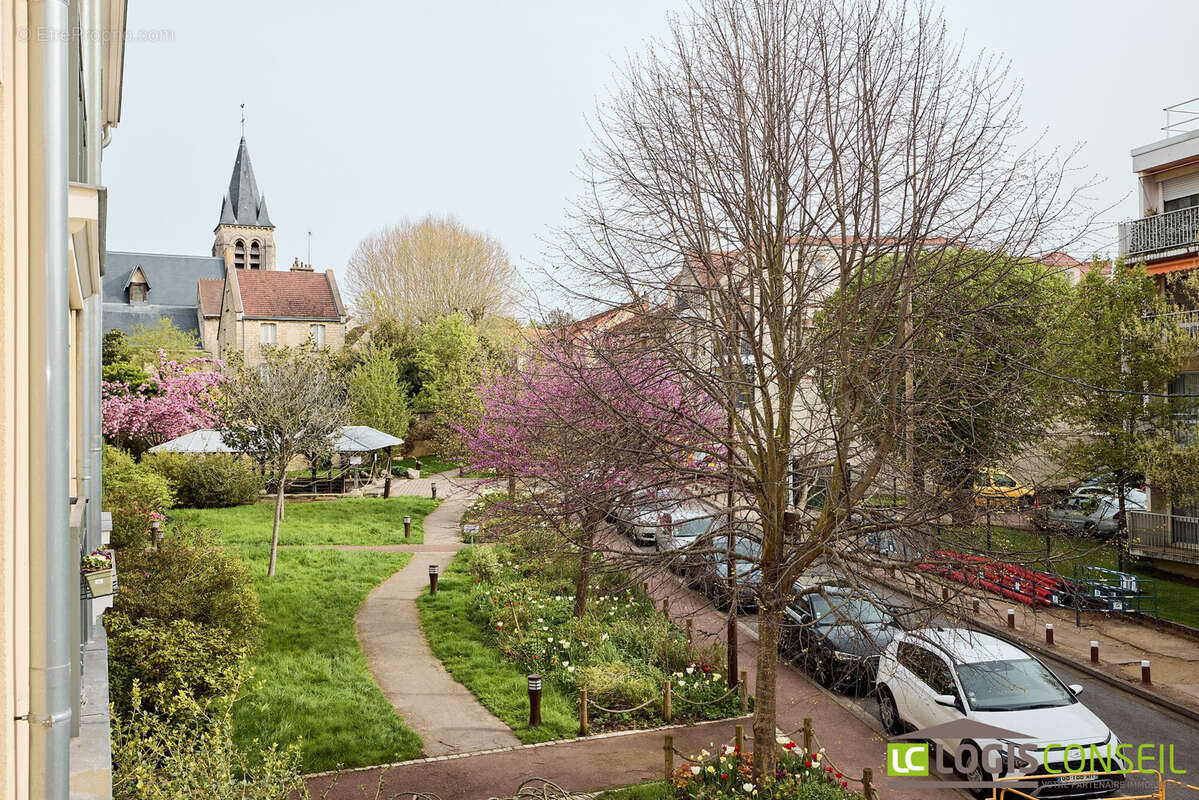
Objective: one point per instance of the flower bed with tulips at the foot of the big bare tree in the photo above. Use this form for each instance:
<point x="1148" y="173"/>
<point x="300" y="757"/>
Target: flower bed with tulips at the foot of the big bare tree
<point x="730" y="774"/>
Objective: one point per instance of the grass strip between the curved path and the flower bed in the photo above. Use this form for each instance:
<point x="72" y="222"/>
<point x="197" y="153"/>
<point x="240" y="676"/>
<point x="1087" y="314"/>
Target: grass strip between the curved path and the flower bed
<point x="474" y="661"/>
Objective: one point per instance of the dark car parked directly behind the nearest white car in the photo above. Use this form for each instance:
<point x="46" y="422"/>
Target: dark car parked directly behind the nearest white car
<point x="838" y="635"/>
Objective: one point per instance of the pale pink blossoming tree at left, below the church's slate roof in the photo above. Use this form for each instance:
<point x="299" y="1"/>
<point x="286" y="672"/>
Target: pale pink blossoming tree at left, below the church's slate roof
<point x="179" y="398"/>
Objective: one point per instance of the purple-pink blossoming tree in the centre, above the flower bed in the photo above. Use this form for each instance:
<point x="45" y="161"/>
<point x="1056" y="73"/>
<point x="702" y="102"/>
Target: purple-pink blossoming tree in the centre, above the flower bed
<point x="583" y="426"/>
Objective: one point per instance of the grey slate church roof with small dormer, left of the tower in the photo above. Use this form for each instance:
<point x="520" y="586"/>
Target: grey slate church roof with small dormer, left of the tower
<point x="172" y="281"/>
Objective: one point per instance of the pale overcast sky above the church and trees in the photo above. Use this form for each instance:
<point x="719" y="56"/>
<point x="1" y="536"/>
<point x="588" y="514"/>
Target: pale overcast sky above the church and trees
<point x="361" y="115"/>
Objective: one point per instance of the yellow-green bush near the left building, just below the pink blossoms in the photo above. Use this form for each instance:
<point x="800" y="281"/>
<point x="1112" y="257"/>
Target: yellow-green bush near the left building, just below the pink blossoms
<point x="136" y="495"/>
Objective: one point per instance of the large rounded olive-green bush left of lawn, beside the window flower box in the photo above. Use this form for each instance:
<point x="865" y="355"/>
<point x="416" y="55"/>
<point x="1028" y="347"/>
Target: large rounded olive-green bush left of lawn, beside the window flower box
<point x="190" y="579"/>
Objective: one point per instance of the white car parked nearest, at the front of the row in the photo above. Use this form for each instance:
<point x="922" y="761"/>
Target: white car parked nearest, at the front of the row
<point x="939" y="676"/>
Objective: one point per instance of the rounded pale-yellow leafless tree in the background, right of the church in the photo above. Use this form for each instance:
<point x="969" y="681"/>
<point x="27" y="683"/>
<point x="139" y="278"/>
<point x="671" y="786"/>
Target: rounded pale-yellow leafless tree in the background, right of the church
<point x="419" y="272"/>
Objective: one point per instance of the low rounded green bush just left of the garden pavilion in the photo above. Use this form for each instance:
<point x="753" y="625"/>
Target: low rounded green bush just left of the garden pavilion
<point x="208" y="482"/>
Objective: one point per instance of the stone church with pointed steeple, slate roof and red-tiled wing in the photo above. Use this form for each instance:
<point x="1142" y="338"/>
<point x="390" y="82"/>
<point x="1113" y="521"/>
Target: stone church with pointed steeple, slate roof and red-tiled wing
<point x="234" y="300"/>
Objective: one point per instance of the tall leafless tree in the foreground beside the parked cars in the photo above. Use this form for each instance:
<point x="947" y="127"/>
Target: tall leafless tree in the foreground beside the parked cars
<point x="803" y="190"/>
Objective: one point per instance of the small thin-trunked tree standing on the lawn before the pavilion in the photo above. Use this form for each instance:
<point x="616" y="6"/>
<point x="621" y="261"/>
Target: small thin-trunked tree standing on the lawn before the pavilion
<point x="288" y="406"/>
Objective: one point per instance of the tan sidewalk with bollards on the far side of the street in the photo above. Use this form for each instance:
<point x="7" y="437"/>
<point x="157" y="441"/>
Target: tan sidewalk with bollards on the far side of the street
<point x="1124" y="643"/>
